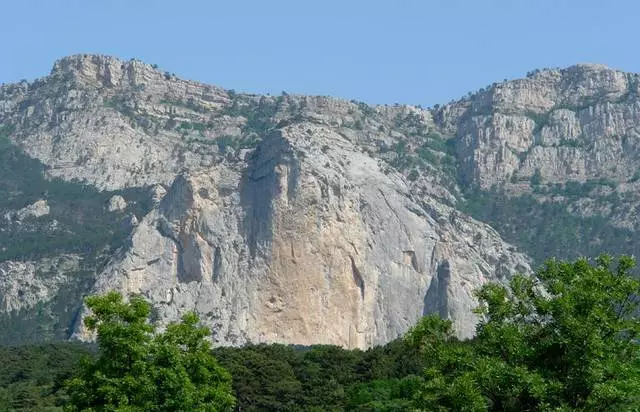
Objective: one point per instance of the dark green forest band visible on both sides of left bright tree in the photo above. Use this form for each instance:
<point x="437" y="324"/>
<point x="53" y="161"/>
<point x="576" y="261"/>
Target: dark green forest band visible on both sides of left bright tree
<point x="265" y="377"/>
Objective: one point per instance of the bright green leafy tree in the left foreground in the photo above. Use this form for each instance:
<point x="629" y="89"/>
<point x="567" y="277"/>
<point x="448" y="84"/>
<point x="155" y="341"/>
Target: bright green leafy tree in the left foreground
<point x="139" y="370"/>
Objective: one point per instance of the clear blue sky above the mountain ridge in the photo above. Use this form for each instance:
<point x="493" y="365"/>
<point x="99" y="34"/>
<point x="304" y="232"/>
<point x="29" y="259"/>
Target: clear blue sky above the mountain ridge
<point x="417" y="52"/>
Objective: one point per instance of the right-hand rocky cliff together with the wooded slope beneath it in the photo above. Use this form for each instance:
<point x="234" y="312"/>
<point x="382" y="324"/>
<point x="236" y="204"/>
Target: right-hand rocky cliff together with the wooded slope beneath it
<point x="553" y="160"/>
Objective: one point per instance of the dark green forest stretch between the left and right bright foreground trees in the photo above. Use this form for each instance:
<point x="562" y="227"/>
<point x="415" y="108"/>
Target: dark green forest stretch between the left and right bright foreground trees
<point x="322" y="378"/>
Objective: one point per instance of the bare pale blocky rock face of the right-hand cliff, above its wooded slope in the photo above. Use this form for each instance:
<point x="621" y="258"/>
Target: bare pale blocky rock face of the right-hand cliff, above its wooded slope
<point x="571" y="124"/>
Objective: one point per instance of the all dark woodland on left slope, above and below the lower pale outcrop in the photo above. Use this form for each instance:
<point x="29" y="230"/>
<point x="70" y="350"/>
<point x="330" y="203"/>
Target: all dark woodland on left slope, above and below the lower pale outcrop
<point x="78" y="222"/>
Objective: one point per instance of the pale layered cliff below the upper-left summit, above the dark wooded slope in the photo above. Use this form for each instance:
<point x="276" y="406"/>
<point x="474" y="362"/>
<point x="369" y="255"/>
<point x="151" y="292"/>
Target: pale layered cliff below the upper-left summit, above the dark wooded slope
<point x="92" y="119"/>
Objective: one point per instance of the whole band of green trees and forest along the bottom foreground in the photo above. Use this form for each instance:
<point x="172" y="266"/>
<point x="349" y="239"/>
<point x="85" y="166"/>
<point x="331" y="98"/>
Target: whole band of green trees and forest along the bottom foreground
<point x="563" y="340"/>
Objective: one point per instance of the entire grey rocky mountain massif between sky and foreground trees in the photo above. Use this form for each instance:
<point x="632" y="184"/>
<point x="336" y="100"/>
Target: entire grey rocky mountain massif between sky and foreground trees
<point x="299" y="219"/>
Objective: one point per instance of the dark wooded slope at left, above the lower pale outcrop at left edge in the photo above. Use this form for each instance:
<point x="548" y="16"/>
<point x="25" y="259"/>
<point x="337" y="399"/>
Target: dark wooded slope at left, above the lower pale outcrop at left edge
<point x="83" y="224"/>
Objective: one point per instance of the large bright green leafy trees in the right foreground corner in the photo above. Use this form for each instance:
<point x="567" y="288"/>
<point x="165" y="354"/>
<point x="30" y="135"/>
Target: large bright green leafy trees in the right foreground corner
<point x="564" y="340"/>
